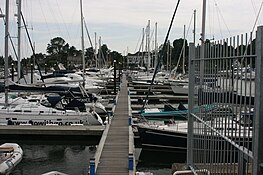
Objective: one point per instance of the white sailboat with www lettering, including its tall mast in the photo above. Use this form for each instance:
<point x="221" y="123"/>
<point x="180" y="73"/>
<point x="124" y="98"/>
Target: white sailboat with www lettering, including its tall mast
<point x="35" y="113"/>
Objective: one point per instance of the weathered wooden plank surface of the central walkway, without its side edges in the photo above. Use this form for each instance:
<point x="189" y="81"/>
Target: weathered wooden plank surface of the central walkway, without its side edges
<point x="115" y="152"/>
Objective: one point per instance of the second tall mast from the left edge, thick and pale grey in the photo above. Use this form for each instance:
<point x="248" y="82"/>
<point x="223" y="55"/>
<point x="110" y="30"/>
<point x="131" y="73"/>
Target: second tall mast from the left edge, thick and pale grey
<point x="19" y="39"/>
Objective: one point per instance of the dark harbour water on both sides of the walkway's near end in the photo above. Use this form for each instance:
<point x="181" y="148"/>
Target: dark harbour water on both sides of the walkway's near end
<point x="72" y="157"/>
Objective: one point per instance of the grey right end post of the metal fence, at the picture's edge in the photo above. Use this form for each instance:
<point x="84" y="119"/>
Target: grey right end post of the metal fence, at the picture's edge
<point x="258" y="122"/>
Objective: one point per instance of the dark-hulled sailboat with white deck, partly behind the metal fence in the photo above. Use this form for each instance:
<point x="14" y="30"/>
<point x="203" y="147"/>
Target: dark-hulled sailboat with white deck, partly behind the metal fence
<point x="173" y="136"/>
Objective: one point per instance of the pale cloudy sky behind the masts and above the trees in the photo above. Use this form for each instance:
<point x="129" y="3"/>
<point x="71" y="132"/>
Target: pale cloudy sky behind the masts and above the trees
<point x="119" y="23"/>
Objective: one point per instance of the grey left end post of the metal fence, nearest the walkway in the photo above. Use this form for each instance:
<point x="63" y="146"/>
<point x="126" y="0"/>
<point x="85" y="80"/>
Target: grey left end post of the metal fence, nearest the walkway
<point x="190" y="104"/>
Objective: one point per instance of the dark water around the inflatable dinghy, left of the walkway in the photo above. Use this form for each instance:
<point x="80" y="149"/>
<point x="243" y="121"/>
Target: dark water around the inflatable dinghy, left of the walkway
<point x="42" y="156"/>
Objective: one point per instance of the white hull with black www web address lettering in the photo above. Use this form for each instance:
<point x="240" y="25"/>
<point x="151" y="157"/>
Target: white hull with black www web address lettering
<point x="36" y="114"/>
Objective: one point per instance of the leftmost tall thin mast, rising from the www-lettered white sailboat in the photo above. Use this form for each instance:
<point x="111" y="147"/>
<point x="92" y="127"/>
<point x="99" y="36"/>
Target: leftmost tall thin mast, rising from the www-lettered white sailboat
<point x="6" y="50"/>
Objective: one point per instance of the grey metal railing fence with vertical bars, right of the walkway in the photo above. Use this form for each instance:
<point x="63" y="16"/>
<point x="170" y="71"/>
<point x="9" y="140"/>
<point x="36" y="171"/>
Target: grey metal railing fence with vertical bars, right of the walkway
<point x="225" y="83"/>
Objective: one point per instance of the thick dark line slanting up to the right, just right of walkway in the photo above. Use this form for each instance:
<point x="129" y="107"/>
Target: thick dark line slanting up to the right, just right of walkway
<point x="162" y="53"/>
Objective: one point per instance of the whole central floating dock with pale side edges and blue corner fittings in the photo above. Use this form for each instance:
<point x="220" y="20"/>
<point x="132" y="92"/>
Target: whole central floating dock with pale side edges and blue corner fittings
<point x="115" y="153"/>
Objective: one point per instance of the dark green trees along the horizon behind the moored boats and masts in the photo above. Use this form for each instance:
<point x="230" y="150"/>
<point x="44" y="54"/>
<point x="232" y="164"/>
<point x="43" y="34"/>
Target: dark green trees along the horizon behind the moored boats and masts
<point x="59" y="51"/>
